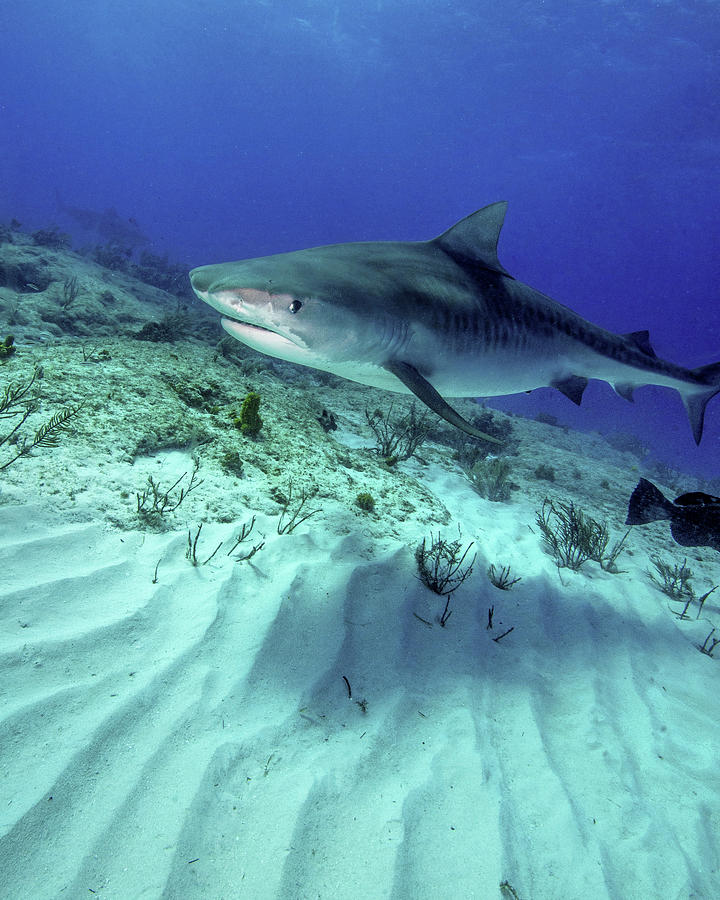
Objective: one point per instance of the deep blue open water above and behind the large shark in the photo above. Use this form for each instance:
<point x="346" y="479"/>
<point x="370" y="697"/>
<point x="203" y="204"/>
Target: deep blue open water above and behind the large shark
<point x="240" y="129"/>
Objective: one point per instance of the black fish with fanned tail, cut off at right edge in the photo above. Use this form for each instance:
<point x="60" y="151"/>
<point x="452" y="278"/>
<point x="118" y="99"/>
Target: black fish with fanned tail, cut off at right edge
<point x="694" y="517"/>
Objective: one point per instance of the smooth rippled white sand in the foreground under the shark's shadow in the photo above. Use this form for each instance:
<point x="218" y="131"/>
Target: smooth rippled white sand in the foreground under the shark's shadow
<point x="194" y="737"/>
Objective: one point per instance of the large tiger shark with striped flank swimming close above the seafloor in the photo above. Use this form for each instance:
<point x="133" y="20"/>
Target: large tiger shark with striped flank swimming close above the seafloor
<point x="439" y="318"/>
